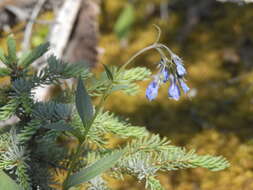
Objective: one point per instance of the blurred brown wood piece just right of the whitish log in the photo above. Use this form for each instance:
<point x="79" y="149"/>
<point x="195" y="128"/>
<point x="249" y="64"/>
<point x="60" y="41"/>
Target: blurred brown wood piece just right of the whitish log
<point x="84" y="39"/>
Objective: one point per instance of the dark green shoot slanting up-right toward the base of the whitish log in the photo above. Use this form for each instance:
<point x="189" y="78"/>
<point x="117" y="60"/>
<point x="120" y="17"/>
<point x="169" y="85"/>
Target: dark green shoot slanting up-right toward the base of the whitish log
<point x="34" y="54"/>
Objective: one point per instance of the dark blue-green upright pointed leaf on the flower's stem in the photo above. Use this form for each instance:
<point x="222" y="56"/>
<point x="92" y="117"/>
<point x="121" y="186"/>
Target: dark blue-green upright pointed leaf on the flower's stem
<point x="83" y="103"/>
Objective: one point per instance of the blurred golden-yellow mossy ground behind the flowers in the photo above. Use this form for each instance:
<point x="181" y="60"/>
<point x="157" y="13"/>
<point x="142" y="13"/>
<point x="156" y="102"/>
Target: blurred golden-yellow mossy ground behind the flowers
<point x="218" y="120"/>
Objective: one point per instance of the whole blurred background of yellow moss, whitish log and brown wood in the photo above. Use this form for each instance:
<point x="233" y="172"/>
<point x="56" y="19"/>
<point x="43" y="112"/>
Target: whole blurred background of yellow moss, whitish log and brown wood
<point x="215" y="40"/>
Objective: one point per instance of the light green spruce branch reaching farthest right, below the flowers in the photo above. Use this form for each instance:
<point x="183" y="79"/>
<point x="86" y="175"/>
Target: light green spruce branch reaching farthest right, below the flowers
<point x="146" y="156"/>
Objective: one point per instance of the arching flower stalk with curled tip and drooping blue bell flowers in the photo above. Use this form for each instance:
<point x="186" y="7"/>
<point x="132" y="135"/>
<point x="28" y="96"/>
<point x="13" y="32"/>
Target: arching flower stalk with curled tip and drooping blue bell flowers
<point x="171" y="68"/>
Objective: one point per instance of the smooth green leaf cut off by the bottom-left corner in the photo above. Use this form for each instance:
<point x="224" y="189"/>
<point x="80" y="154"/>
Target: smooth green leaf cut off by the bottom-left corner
<point x="7" y="183"/>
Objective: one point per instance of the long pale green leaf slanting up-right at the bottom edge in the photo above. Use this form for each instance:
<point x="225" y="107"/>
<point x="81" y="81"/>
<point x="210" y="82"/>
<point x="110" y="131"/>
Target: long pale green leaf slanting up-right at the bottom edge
<point x="93" y="170"/>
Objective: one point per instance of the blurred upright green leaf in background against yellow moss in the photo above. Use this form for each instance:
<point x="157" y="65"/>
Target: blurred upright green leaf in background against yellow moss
<point x="125" y="21"/>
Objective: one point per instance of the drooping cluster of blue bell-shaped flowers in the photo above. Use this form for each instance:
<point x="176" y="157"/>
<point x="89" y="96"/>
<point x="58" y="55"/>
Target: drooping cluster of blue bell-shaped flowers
<point x="169" y="70"/>
